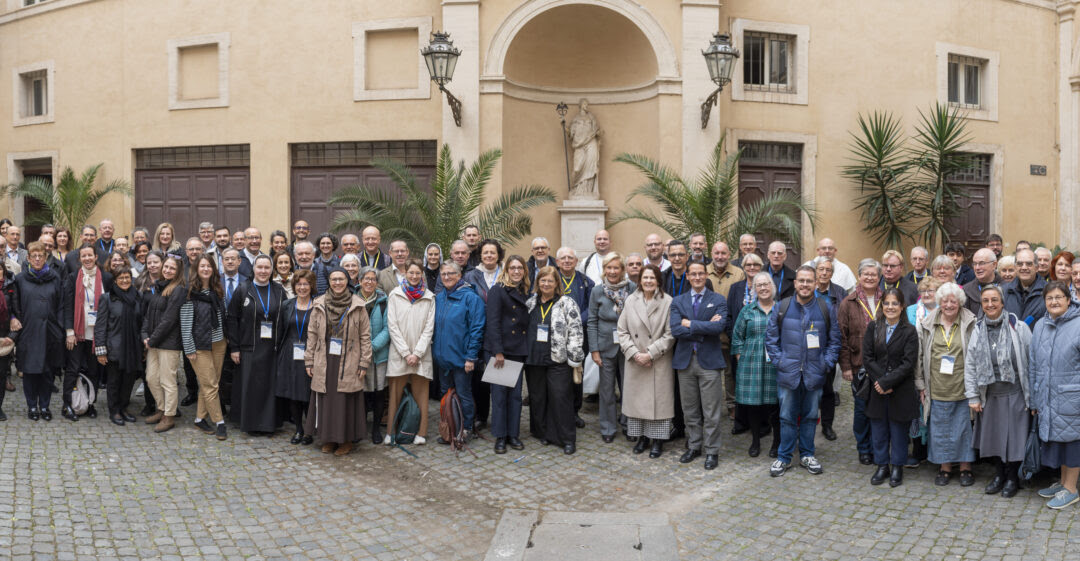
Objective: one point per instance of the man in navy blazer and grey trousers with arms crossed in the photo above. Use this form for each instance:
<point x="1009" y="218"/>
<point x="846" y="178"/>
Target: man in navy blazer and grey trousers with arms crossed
<point x="697" y="319"/>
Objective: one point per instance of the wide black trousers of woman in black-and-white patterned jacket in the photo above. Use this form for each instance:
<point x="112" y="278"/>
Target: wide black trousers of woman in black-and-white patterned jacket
<point x="551" y="404"/>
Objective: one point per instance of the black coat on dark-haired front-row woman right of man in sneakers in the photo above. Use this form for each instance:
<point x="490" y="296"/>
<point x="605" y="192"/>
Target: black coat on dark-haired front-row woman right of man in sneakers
<point x="893" y="366"/>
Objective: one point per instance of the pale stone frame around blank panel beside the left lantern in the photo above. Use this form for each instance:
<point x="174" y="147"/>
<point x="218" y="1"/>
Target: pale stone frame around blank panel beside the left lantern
<point x="360" y="31"/>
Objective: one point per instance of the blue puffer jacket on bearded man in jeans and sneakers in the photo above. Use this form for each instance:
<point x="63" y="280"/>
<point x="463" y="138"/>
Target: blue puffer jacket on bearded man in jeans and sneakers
<point x="788" y="346"/>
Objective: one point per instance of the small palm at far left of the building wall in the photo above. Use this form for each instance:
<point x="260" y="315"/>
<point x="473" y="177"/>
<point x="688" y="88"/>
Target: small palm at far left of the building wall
<point x="70" y="203"/>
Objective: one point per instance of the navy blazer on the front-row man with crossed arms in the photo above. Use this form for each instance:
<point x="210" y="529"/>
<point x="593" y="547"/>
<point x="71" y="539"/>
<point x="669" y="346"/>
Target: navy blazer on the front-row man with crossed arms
<point x="706" y="333"/>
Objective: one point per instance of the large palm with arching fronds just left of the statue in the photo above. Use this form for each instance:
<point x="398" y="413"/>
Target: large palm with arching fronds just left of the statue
<point x="421" y="217"/>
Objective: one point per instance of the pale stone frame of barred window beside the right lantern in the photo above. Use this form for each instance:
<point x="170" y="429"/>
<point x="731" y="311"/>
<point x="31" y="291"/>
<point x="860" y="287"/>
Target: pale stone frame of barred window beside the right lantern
<point x="800" y="68"/>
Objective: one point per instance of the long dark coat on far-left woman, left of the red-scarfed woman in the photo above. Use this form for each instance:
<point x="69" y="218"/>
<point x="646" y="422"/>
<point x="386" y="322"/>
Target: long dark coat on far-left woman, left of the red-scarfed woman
<point x="38" y="305"/>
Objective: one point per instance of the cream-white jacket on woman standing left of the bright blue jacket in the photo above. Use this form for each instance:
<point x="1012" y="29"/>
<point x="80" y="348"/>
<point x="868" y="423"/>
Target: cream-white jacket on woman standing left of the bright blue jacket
<point x="412" y="328"/>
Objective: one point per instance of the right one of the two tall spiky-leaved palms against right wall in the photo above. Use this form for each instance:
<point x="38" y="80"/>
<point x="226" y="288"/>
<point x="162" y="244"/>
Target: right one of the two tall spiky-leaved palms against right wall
<point x="937" y="157"/>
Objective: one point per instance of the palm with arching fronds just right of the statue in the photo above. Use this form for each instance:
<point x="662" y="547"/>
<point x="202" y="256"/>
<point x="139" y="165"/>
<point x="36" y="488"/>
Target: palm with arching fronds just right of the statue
<point x="710" y="204"/>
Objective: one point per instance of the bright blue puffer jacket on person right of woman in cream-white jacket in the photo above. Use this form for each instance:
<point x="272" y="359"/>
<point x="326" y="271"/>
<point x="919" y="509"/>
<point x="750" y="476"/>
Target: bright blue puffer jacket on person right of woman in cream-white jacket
<point x="460" y="327"/>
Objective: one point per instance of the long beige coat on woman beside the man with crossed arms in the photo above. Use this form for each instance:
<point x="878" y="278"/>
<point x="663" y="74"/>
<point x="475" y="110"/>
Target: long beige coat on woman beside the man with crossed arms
<point x="649" y="393"/>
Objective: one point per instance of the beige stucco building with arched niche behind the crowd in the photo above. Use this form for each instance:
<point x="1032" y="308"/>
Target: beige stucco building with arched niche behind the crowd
<point x="251" y="112"/>
